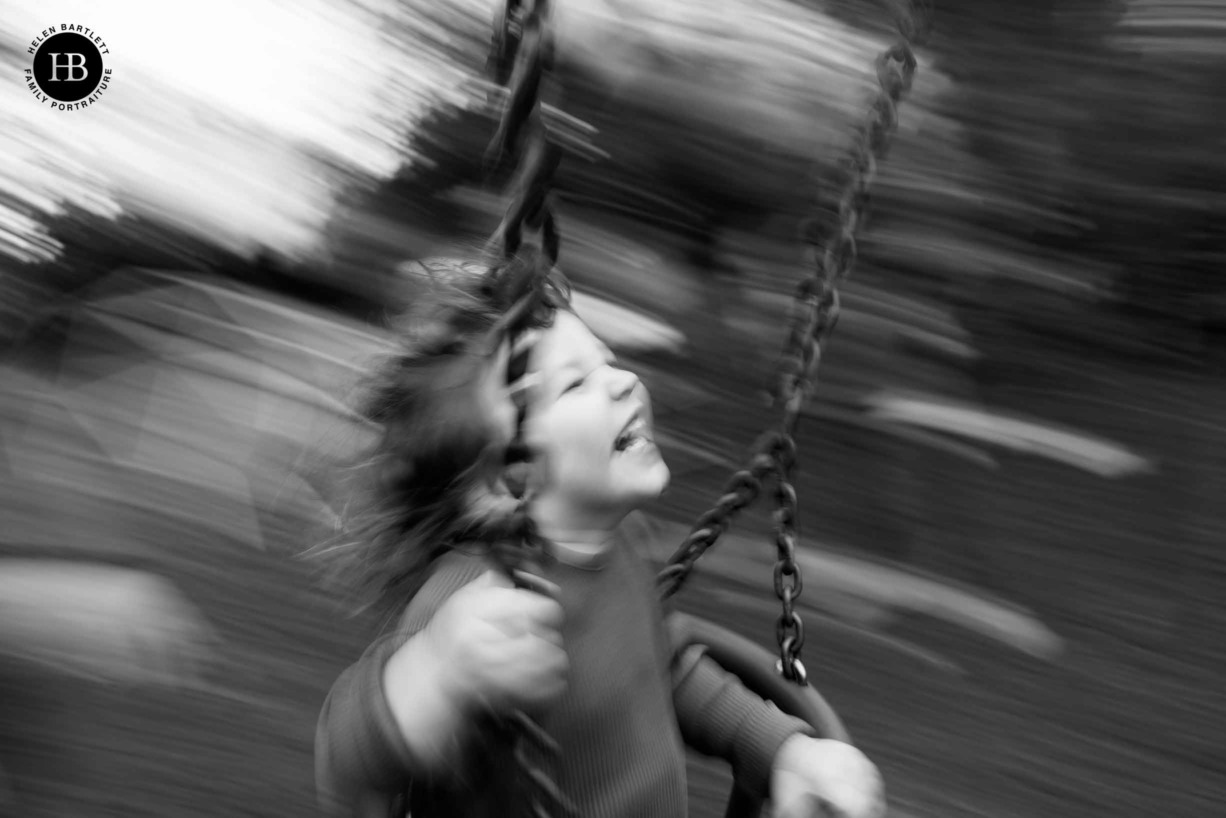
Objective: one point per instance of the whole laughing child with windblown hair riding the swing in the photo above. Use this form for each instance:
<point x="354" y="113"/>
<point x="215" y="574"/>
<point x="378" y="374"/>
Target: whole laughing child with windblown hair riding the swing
<point x="590" y="660"/>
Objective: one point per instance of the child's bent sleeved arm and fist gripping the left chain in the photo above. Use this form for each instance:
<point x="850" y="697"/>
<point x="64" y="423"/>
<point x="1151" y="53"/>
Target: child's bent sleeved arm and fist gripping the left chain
<point x="468" y="646"/>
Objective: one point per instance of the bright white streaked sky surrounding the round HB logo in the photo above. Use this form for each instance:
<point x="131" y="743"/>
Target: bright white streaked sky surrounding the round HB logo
<point x="218" y="115"/>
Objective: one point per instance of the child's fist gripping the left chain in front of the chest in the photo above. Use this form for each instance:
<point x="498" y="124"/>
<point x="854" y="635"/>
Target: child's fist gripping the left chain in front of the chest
<point x="500" y="647"/>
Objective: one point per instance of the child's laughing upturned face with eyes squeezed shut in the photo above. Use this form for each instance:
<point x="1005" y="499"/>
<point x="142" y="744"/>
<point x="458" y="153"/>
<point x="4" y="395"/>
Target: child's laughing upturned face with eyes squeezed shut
<point x="592" y="426"/>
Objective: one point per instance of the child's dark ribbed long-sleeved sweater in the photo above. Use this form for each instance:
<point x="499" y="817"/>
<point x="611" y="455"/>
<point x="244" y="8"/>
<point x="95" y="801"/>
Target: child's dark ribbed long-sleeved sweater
<point x="631" y="703"/>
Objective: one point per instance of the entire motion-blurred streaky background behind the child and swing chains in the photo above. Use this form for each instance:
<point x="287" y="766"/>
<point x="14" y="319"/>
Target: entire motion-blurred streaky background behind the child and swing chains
<point x="1012" y="478"/>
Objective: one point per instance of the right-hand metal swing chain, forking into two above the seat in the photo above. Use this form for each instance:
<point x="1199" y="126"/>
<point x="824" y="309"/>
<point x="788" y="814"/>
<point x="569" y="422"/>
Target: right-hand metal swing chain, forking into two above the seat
<point x="813" y="318"/>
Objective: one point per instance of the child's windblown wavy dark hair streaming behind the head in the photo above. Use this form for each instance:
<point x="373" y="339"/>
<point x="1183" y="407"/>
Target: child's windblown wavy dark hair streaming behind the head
<point x="409" y="496"/>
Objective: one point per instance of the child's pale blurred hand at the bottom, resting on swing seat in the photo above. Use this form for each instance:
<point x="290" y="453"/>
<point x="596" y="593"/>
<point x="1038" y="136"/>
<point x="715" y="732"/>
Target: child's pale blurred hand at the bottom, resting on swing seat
<point x="812" y="778"/>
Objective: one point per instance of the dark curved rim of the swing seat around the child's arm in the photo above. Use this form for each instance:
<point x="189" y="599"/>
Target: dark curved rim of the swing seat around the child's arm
<point x="756" y="668"/>
